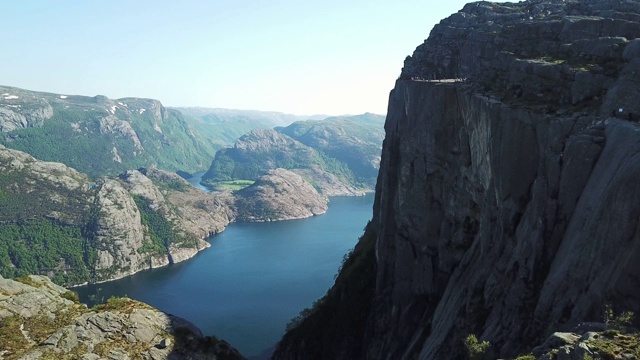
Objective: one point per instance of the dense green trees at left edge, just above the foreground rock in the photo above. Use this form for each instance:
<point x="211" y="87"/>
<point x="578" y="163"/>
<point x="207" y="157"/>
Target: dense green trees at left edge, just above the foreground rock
<point x="43" y="247"/>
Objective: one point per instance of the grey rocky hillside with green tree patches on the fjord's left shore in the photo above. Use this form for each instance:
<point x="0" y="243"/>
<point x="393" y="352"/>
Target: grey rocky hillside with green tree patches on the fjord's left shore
<point x="56" y="221"/>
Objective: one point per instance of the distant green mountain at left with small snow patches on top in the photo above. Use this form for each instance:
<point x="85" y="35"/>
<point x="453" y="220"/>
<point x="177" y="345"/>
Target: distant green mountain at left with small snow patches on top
<point x="99" y="136"/>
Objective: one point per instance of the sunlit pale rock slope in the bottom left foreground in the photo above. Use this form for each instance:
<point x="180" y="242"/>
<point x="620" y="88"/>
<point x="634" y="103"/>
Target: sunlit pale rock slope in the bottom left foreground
<point x="40" y="320"/>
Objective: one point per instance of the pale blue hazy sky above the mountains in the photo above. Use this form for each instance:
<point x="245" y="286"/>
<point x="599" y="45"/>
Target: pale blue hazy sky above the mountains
<point x="295" y="56"/>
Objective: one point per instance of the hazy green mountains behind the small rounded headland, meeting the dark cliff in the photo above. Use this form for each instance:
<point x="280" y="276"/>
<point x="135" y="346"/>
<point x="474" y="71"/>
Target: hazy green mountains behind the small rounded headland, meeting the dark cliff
<point x="339" y="155"/>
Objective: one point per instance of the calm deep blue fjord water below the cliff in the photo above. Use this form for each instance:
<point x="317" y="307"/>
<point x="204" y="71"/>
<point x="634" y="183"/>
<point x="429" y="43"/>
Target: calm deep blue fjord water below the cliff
<point x="254" y="278"/>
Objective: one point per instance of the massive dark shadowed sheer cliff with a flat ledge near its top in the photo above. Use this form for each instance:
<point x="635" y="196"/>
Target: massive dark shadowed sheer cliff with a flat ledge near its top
<point x="506" y="204"/>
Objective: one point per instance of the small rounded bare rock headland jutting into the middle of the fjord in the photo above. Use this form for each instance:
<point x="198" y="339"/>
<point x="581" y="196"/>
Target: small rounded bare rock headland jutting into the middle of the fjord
<point x="279" y="195"/>
